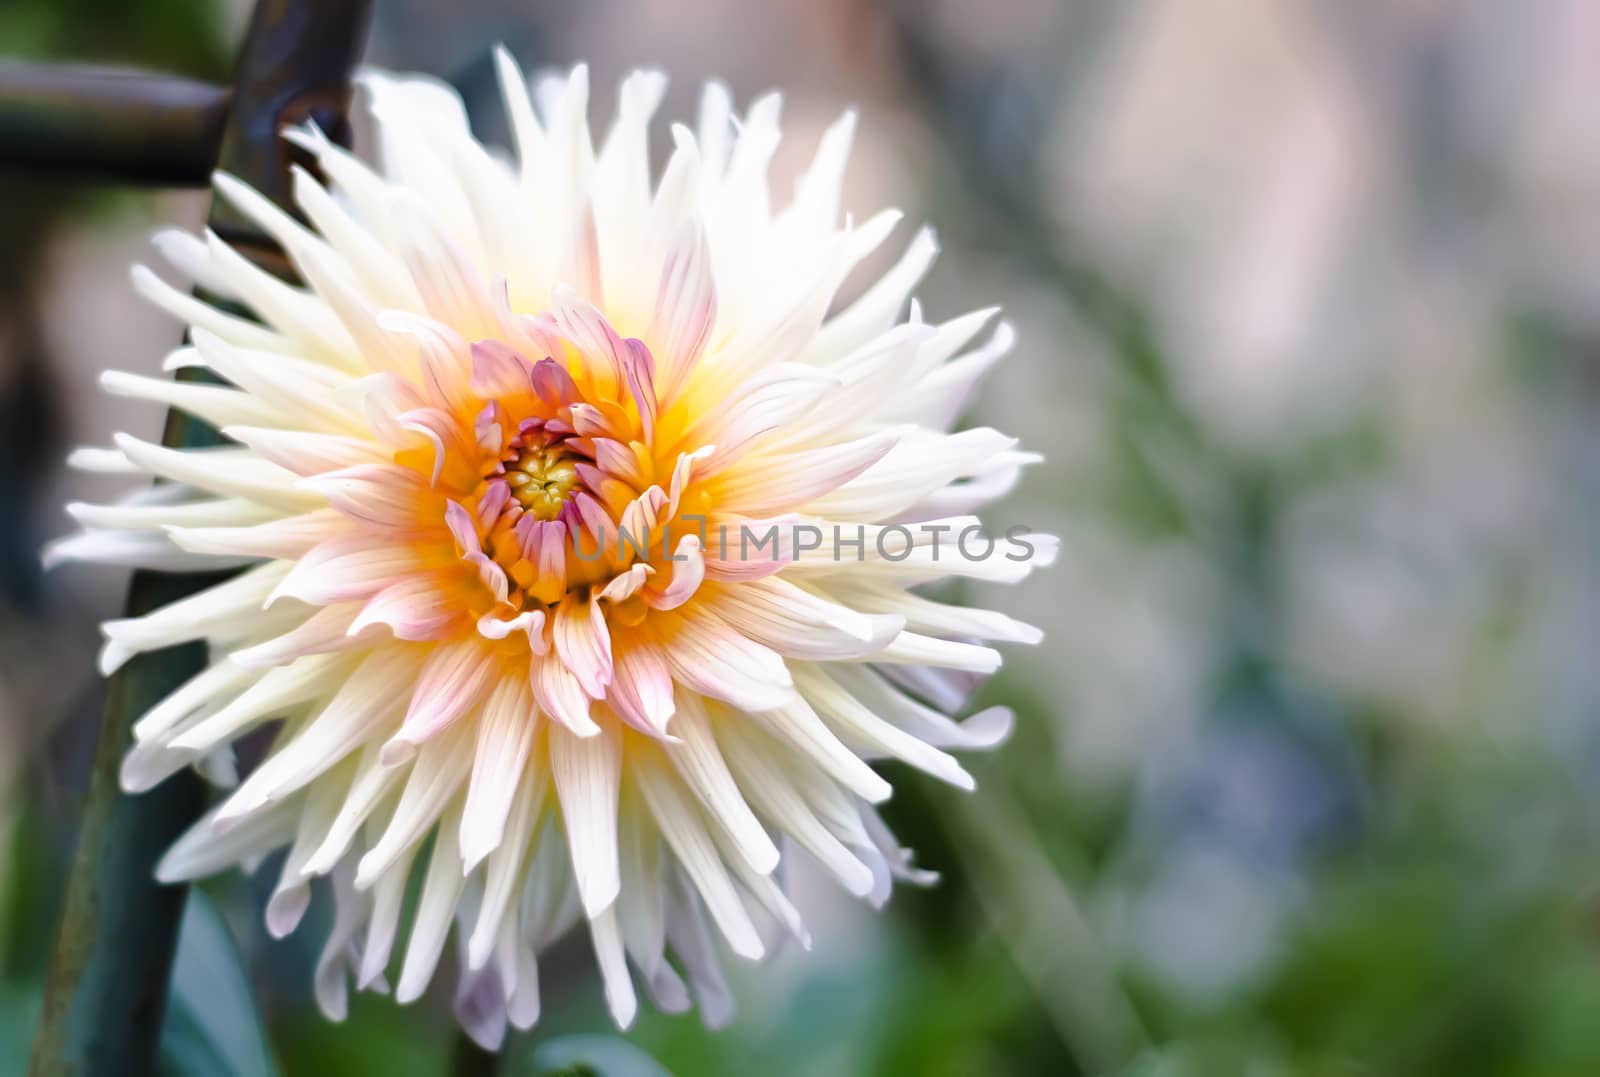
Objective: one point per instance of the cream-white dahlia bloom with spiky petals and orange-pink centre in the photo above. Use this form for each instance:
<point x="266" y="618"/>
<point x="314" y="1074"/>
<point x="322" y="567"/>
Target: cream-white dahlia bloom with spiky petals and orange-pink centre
<point x="578" y="538"/>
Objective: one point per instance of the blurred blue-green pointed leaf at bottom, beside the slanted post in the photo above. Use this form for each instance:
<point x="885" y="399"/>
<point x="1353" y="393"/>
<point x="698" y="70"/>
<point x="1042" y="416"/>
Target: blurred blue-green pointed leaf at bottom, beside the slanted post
<point x="212" y="1025"/>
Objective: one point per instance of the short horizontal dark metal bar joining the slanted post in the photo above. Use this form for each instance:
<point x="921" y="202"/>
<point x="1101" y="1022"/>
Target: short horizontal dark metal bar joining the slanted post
<point x="111" y="126"/>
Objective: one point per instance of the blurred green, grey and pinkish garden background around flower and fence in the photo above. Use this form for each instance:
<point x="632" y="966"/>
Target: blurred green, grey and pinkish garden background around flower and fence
<point x="1306" y="777"/>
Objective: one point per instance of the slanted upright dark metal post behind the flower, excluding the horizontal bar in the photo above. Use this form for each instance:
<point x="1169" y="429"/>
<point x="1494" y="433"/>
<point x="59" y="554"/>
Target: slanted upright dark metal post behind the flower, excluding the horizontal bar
<point x="106" y="991"/>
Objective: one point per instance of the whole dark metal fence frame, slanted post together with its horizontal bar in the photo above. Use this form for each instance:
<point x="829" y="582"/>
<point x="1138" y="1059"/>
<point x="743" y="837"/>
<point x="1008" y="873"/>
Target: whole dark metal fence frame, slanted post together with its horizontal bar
<point x="108" y="982"/>
